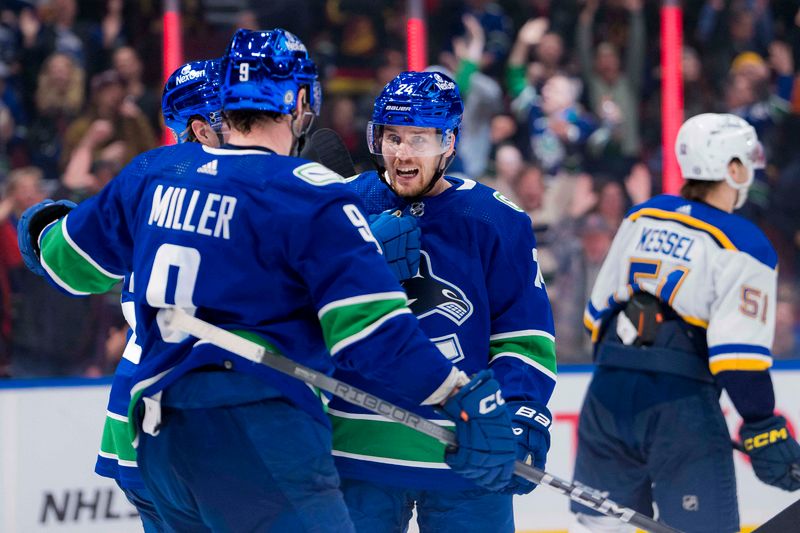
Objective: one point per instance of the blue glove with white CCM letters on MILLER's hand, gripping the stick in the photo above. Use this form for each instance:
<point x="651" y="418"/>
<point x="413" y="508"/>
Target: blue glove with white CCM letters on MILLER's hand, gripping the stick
<point x="486" y="446"/>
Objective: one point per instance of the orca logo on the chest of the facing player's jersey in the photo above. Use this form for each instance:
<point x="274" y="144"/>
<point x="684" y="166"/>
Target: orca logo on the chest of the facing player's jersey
<point x="429" y="294"/>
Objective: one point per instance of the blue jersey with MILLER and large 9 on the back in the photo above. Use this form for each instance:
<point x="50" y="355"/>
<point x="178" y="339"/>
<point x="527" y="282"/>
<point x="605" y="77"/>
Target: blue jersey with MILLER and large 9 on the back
<point x="269" y="246"/>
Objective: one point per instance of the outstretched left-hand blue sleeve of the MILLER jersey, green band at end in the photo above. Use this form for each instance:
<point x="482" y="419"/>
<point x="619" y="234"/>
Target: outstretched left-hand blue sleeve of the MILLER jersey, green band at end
<point x="90" y="250"/>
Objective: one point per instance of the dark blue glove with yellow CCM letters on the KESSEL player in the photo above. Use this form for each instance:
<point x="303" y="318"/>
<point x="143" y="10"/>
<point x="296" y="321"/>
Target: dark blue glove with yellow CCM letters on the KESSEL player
<point x="773" y="452"/>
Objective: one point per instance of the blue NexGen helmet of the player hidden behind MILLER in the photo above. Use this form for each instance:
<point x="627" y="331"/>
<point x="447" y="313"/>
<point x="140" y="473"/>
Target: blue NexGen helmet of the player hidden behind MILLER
<point x="192" y="90"/>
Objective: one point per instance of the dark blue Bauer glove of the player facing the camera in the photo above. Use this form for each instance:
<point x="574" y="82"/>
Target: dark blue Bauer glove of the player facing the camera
<point x="530" y="422"/>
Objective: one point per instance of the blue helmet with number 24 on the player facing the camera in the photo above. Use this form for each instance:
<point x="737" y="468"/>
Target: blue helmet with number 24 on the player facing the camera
<point x="422" y="99"/>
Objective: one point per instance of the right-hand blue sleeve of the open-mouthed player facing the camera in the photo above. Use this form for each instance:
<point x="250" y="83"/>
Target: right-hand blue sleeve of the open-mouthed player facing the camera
<point x="522" y="347"/>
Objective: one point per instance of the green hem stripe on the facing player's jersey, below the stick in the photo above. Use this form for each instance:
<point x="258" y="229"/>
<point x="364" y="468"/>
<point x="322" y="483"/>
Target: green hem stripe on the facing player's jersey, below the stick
<point x="386" y="441"/>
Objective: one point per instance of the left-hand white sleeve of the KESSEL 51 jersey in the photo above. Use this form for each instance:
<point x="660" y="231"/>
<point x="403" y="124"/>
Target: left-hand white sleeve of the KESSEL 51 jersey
<point x="609" y="290"/>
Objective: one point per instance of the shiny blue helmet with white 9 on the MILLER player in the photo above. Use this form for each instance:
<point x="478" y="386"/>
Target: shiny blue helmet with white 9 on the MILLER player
<point x="265" y="70"/>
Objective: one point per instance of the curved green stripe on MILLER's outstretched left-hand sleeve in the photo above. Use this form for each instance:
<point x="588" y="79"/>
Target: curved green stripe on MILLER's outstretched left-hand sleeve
<point x="71" y="268"/>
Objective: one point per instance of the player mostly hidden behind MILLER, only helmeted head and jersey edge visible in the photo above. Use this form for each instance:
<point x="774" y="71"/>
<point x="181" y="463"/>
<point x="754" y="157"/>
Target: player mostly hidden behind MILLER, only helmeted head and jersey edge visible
<point x="192" y="110"/>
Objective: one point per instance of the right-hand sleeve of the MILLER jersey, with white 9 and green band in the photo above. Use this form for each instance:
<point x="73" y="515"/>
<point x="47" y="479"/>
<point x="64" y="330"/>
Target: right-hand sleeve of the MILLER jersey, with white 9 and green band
<point x="366" y="323"/>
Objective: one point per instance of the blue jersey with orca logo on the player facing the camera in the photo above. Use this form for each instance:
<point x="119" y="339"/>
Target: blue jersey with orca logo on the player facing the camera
<point x="480" y="297"/>
